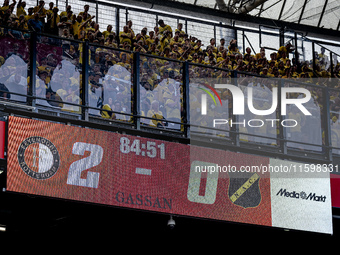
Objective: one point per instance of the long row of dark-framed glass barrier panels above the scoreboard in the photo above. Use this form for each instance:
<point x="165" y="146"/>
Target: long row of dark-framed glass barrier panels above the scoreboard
<point x="78" y="80"/>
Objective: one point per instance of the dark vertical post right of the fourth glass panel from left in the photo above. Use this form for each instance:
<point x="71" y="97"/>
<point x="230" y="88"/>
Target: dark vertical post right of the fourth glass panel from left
<point x="186" y="99"/>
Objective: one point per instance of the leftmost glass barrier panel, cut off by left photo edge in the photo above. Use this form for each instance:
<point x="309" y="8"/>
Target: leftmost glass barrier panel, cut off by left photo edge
<point x="14" y="60"/>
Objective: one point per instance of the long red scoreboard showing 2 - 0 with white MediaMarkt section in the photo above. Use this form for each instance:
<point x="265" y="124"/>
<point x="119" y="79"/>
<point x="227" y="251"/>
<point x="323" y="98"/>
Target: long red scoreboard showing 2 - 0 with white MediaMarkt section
<point x="95" y="166"/>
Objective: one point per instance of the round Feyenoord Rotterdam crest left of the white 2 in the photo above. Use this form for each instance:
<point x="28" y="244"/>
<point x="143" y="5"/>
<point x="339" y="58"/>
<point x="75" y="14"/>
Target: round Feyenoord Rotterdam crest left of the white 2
<point x="38" y="157"/>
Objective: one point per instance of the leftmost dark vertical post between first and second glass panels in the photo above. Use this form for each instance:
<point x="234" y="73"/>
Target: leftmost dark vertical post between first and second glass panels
<point x="33" y="68"/>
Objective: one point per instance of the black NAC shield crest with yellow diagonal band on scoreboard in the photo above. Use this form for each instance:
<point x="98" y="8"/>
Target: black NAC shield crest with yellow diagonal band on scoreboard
<point x="244" y="189"/>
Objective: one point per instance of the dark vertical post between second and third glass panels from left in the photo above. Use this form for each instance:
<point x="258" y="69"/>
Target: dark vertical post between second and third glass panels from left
<point x="84" y="82"/>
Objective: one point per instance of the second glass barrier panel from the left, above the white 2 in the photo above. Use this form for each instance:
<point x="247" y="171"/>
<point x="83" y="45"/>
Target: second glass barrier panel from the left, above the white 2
<point x="58" y="77"/>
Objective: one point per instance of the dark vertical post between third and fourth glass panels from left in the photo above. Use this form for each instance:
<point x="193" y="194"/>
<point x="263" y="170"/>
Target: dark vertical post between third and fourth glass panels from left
<point x="136" y="90"/>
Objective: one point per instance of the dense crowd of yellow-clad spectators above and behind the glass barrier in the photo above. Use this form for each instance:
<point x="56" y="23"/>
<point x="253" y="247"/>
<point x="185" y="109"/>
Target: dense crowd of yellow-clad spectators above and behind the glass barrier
<point x="110" y="61"/>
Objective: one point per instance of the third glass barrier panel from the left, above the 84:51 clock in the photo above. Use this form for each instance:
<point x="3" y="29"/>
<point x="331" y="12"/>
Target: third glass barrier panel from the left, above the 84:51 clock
<point x="110" y="83"/>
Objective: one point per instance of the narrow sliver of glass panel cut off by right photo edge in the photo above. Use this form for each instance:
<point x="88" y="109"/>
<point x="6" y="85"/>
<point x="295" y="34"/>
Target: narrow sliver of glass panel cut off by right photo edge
<point x="334" y="108"/>
